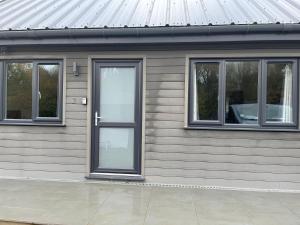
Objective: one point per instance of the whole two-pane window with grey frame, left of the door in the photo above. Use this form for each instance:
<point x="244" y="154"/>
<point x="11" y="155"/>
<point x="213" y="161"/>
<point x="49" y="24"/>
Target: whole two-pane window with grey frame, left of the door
<point x="31" y="91"/>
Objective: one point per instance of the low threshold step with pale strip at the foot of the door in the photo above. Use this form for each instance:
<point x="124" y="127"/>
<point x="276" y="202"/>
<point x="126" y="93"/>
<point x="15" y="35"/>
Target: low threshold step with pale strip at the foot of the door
<point x="116" y="176"/>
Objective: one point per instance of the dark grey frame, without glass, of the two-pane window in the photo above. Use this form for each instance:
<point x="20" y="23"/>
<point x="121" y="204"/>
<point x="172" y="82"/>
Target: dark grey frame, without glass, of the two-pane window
<point x="35" y="120"/>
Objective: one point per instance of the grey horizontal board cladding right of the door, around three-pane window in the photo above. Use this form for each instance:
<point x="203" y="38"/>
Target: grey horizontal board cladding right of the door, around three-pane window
<point x="224" y="158"/>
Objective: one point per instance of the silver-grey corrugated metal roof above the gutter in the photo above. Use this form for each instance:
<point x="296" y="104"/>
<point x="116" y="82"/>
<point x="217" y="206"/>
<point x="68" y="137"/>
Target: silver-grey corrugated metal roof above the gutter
<point x="59" y="14"/>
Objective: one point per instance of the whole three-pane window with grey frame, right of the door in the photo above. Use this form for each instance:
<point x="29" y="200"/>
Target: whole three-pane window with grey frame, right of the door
<point x="243" y="93"/>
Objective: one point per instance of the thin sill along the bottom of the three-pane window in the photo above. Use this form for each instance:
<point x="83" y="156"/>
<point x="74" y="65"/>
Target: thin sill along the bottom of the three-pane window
<point x="249" y="129"/>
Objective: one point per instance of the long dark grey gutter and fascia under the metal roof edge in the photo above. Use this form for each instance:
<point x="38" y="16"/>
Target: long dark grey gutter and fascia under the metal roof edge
<point x="191" y="34"/>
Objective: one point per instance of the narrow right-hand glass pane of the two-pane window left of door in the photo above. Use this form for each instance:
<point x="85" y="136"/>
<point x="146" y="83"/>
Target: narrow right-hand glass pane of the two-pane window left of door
<point x="48" y="90"/>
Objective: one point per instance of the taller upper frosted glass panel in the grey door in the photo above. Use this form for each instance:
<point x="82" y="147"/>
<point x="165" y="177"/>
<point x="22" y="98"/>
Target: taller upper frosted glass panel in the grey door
<point x="117" y="94"/>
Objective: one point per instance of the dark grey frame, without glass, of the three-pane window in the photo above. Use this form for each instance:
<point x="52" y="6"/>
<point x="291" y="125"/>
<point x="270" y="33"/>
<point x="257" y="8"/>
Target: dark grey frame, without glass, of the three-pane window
<point x="262" y="78"/>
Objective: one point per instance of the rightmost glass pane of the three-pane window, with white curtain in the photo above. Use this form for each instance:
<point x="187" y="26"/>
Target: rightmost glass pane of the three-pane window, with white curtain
<point x="279" y="93"/>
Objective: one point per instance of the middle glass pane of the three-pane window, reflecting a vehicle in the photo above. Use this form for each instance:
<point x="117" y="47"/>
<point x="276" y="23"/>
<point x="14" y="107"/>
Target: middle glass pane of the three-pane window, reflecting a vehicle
<point x="241" y="104"/>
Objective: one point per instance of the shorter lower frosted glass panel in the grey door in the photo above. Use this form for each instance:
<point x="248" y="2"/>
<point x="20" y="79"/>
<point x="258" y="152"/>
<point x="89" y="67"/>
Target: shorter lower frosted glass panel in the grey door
<point x="116" y="148"/>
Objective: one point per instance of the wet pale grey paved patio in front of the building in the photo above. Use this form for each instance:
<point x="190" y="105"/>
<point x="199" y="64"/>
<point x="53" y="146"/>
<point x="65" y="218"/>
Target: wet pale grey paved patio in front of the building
<point x="68" y="203"/>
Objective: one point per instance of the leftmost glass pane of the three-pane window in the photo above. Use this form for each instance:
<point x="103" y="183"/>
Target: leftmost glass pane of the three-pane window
<point x="206" y="81"/>
